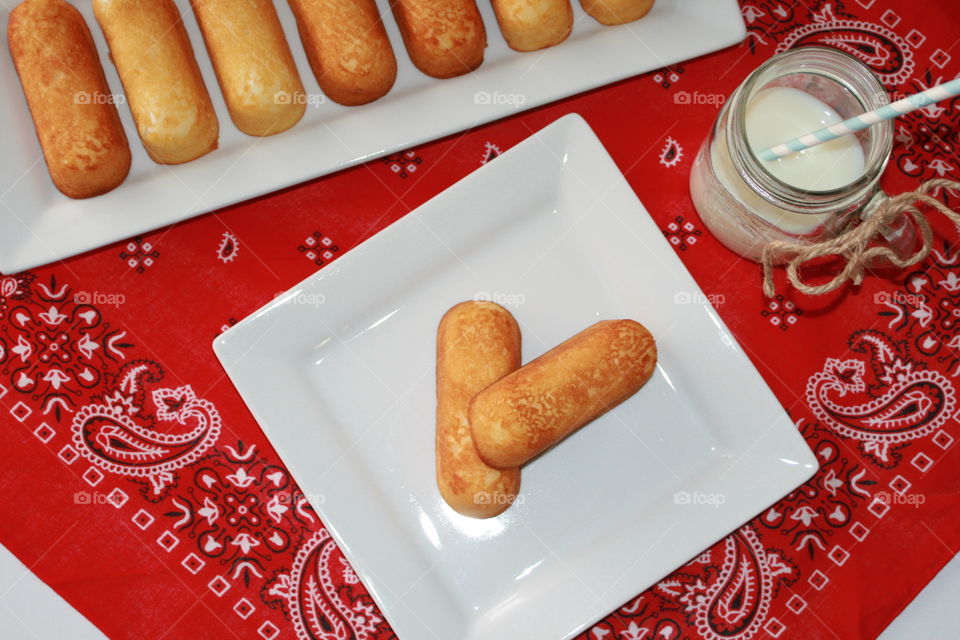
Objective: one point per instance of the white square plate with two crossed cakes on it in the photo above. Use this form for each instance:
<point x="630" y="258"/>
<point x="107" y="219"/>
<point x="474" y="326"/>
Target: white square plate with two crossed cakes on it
<point x="339" y="372"/>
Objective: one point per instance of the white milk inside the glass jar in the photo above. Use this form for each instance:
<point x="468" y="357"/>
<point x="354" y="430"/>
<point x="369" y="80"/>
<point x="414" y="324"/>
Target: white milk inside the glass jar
<point x="775" y="115"/>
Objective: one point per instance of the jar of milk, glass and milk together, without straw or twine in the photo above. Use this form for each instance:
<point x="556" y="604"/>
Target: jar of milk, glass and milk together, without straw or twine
<point x="805" y="197"/>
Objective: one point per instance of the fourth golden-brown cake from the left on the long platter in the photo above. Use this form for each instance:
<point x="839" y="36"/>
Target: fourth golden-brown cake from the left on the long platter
<point x="347" y="47"/>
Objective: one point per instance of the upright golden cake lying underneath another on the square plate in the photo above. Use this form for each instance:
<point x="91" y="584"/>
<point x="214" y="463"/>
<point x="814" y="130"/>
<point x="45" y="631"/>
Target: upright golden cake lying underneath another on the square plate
<point x="477" y="344"/>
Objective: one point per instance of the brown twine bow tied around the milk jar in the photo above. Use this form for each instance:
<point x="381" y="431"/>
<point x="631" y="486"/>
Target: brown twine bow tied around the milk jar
<point x="854" y="244"/>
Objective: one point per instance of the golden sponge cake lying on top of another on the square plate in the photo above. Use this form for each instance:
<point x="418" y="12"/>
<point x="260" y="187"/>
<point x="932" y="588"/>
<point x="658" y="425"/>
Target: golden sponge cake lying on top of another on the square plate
<point x="536" y="406"/>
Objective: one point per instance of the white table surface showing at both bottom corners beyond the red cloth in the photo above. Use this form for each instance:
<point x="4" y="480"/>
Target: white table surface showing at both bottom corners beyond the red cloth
<point x="30" y="610"/>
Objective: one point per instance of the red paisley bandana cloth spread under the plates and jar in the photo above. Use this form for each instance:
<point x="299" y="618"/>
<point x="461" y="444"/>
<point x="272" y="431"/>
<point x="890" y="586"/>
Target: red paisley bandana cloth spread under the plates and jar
<point x="194" y="529"/>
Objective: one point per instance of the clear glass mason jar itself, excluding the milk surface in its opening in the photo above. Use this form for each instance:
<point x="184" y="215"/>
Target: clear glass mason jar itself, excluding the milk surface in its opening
<point x="745" y="206"/>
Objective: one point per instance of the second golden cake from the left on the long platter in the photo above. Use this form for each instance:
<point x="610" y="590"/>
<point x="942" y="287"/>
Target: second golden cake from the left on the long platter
<point x="166" y="93"/>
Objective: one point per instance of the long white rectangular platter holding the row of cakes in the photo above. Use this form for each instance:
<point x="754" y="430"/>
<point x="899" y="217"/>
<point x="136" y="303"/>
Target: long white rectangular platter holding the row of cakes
<point x="38" y="224"/>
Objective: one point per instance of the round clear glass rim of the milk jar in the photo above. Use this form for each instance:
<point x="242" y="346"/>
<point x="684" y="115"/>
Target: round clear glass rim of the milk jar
<point x="847" y="71"/>
